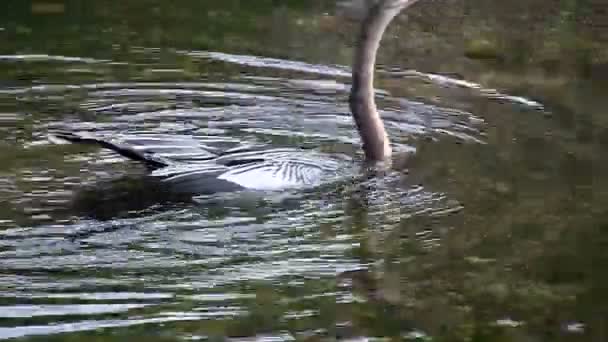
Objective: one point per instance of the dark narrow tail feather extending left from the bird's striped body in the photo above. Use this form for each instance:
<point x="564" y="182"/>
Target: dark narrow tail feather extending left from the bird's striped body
<point x="123" y="150"/>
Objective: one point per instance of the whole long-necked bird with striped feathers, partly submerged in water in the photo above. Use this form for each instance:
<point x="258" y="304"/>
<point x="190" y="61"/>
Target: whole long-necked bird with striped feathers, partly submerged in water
<point x="190" y="166"/>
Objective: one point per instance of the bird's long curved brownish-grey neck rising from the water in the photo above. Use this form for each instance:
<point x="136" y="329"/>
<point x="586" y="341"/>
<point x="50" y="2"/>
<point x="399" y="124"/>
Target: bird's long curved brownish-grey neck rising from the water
<point x="376" y="143"/>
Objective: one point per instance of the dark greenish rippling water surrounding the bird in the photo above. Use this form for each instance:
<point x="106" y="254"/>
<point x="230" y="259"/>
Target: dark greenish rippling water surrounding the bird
<point x="489" y="226"/>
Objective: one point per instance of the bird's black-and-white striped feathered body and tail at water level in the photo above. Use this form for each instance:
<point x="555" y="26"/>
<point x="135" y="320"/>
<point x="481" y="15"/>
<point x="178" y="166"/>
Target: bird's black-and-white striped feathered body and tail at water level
<point x="190" y="165"/>
